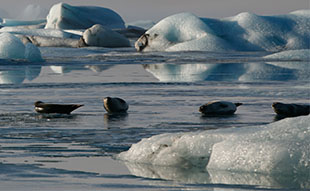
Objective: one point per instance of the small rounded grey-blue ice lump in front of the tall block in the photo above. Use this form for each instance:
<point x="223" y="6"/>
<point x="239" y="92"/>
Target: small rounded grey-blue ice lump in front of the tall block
<point x="101" y="36"/>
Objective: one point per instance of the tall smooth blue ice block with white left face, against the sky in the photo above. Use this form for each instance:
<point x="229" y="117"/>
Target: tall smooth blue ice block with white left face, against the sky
<point x="64" y="16"/>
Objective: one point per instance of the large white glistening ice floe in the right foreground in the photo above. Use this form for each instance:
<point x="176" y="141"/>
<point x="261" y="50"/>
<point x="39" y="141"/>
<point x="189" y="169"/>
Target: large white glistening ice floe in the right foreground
<point x="280" y="147"/>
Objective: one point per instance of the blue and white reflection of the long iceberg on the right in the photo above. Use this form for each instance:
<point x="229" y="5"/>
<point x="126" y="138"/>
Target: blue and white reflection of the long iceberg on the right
<point x="230" y="71"/>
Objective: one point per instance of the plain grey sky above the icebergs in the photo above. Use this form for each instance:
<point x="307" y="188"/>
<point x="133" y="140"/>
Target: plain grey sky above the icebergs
<point x="155" y="10"/>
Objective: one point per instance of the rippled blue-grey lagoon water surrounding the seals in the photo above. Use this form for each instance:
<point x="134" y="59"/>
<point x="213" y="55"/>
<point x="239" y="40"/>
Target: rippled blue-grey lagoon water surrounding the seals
<point x="164" y="91"/>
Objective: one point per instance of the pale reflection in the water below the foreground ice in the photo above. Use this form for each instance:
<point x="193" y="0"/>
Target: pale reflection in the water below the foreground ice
<point x="201" y="176"/>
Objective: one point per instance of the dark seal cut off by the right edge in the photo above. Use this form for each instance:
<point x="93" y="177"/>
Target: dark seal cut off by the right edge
<point x="290" y="110"/>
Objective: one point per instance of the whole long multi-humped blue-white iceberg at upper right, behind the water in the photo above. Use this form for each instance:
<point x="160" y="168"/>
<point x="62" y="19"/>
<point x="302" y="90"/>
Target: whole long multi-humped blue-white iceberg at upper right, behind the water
<point x="243" y="32"/>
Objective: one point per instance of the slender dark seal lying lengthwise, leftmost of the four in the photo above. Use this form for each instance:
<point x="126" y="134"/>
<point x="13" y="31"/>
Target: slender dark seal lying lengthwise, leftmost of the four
<point x="42" y="107"/>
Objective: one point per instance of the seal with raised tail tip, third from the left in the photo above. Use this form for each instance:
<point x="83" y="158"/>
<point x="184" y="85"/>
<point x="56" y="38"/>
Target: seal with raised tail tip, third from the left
<point x="219" y="108"/>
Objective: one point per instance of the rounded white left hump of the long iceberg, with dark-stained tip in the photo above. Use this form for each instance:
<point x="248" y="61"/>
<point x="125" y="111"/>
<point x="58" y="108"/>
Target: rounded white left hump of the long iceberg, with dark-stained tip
<point x="183" y="31"/>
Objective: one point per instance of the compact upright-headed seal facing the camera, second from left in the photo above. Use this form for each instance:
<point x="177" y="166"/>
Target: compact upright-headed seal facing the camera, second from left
<point x="115" y="105"/>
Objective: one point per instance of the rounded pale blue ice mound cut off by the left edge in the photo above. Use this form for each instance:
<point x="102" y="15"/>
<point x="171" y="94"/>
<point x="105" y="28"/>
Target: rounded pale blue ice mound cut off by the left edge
<point x="12" y="47"/>
